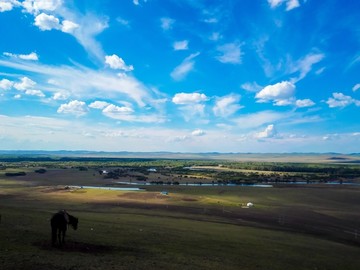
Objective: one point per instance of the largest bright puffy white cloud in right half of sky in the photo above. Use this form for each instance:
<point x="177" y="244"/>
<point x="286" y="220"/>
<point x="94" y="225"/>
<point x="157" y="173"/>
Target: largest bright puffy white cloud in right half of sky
<point x="279" y="93"/>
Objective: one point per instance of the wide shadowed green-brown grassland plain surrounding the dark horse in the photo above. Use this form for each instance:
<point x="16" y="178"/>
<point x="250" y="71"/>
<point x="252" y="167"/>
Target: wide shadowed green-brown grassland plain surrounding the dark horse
<point x="290" y="226"/>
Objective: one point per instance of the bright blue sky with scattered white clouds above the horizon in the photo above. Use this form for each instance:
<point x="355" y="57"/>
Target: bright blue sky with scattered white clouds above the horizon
<point x="256" y="76"/>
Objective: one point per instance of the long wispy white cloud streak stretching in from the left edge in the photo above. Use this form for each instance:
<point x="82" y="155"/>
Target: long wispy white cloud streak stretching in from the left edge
<point x="82" y="82"/>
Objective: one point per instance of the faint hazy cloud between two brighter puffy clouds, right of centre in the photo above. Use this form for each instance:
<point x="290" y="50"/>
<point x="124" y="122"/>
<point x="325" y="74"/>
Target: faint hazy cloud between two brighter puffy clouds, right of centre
<point x="227" y="105"/>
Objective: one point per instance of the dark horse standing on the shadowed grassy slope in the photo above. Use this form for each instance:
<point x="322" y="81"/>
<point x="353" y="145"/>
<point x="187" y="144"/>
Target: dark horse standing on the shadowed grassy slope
<point x="59" y="224"/>
